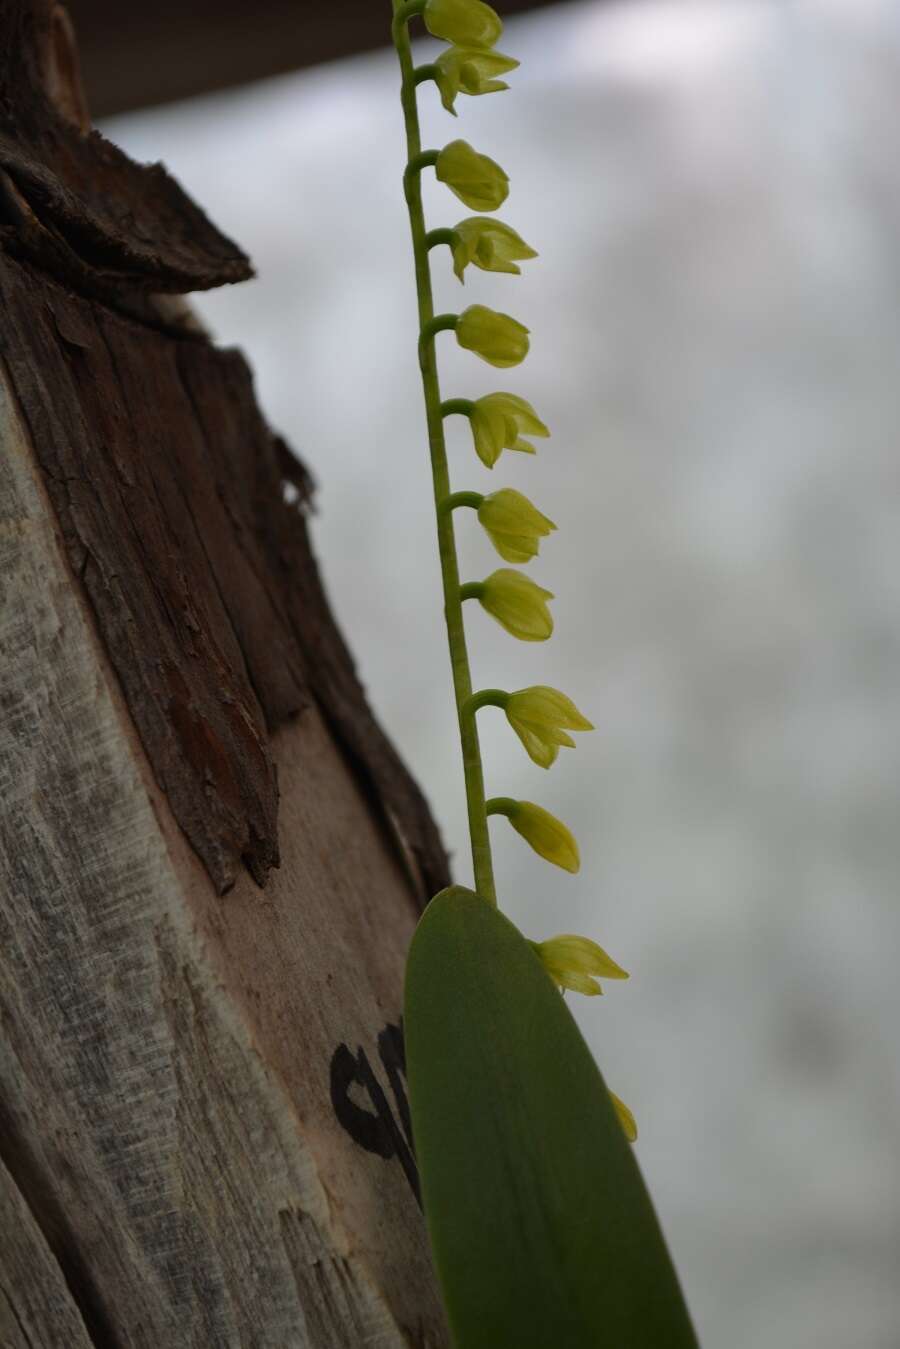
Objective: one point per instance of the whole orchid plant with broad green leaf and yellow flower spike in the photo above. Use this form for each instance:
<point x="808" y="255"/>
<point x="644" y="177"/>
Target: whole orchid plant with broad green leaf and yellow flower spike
<point x="540" y="1224"/>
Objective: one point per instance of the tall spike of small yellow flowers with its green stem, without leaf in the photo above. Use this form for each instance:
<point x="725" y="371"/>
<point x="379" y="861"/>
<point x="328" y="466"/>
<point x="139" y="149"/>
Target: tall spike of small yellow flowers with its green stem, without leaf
<point x="542" y="717"/>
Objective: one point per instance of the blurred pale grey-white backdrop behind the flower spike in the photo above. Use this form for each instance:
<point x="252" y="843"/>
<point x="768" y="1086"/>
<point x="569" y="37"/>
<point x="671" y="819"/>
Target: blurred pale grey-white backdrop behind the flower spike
<point x="714" y="190"/>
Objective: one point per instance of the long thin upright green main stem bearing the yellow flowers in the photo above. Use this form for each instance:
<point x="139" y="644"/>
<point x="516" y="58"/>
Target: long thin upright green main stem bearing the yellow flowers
<point x="473" y="771"/>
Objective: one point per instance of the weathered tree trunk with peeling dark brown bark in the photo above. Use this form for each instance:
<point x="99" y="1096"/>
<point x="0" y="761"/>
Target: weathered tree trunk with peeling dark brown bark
<point x="211" y="859"/>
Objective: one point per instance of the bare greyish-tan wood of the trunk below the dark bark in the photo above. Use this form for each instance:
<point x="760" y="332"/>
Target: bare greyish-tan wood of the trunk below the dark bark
<point x="167" y="1119"/>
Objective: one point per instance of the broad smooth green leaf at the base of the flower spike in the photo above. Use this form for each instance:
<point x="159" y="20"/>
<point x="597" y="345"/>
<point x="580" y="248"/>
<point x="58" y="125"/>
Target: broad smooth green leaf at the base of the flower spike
<point x="542" y="1228"/>
